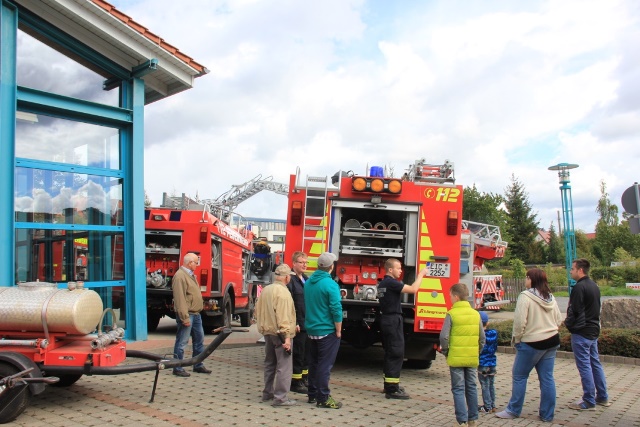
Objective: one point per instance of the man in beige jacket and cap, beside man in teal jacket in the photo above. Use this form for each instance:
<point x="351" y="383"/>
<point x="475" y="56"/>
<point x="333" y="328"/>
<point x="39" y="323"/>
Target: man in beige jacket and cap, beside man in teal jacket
<point x="276" y="320"/>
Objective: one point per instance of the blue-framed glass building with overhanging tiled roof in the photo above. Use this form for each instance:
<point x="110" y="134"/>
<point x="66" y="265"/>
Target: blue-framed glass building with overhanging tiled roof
<point x="44" y="243"/>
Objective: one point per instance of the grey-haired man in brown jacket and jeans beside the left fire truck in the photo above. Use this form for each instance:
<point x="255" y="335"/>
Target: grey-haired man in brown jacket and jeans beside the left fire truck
<point x="187" y="303"/>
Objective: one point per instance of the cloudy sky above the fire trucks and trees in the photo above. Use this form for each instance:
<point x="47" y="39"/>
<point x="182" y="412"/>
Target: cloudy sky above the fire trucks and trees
<point x="497" y="87"/>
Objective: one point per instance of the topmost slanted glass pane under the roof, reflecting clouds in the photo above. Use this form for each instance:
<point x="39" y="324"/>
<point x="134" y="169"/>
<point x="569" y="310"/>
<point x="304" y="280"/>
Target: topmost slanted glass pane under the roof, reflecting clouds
<point x="45" y="68"/>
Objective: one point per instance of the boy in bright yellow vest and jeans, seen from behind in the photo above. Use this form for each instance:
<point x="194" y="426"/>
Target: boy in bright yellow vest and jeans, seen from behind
<point x="461" y="340"/>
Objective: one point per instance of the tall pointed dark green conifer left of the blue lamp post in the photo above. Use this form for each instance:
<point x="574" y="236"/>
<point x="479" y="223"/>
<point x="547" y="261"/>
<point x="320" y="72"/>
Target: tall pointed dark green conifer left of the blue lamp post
<point x="522" y="224"/>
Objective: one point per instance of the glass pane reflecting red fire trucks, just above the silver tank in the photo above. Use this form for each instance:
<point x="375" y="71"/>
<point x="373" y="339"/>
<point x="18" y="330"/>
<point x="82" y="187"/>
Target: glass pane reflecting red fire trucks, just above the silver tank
<point x="62" y="256"/>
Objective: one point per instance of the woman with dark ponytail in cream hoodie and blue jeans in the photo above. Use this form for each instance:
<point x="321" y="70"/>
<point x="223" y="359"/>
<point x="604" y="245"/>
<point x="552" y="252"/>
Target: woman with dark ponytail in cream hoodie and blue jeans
<point x="536" y="339"/>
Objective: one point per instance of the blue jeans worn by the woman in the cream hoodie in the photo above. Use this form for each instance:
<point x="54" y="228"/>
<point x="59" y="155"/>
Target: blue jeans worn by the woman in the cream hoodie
<point x="528" y="358"/>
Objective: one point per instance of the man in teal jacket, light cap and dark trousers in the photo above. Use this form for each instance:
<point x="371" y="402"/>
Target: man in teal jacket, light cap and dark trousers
<point x="324" y="327"/>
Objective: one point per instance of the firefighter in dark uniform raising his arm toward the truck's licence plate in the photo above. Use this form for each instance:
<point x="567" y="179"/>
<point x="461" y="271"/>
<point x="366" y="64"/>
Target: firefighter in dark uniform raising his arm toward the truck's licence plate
<point x="391" y="324"/>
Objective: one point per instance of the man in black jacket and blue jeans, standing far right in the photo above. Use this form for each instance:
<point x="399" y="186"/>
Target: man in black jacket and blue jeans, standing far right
<point x="583" y="321"/>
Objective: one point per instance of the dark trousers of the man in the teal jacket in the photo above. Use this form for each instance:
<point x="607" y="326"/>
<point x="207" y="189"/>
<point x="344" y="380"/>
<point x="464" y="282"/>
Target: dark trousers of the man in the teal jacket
<point x="322" y="355"/>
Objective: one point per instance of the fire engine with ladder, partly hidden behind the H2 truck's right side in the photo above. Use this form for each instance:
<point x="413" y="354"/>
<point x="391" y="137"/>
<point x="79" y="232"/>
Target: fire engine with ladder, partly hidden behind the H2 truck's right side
<point x="480" y="243"/>
